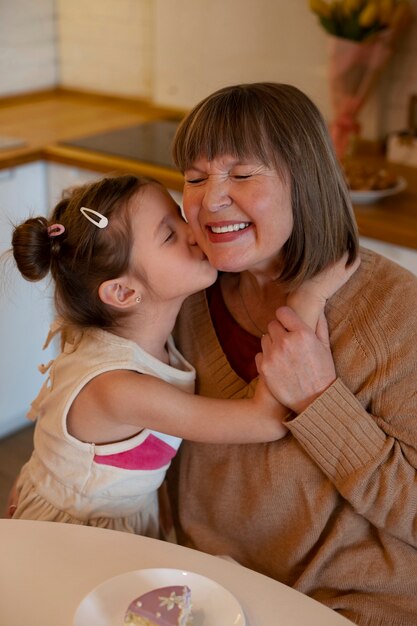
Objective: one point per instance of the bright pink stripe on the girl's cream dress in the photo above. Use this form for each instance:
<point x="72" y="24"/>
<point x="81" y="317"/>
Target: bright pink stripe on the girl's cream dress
<point x="151" y="454"/>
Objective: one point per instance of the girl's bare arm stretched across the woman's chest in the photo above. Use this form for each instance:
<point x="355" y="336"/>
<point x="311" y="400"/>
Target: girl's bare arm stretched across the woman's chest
<point x="118" y="404"/>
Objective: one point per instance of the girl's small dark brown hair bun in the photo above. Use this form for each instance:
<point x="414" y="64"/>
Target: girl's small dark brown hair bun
<point x="33" y="248"/>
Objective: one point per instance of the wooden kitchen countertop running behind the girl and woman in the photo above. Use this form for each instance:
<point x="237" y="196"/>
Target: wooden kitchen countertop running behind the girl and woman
<point x="47" y="121"/>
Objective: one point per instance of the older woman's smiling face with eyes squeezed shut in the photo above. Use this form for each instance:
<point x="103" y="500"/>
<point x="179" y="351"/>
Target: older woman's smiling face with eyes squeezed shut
<point x="240" y="212"/>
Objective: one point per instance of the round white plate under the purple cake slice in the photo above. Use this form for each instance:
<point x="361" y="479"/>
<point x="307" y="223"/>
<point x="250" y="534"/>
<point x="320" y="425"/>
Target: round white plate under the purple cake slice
<point x="106" y="605"/>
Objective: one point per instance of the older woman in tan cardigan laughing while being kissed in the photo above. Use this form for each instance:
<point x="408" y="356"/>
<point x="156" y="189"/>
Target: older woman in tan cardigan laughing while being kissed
<point x="331" y="509"/>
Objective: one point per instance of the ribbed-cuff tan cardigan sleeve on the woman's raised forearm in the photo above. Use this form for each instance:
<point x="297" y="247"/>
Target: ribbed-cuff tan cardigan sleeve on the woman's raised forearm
<point x="367" y="461"/>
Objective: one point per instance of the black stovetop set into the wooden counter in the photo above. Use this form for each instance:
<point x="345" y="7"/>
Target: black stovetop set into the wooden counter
<point x="149" y="142"/>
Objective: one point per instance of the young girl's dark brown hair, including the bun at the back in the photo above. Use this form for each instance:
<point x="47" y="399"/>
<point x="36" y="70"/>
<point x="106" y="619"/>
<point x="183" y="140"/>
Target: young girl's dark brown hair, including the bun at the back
<point x="83" y="256"/>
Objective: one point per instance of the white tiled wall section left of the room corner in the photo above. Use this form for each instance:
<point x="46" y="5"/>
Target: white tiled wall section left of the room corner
<point x="27" y="45"/>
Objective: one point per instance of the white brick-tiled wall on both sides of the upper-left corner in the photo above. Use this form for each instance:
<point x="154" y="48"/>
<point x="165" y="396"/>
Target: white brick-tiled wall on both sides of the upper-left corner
<point x="98" y="45"/>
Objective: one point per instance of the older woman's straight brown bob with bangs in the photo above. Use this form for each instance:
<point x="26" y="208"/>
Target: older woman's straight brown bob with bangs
<point x="280" y="126"/>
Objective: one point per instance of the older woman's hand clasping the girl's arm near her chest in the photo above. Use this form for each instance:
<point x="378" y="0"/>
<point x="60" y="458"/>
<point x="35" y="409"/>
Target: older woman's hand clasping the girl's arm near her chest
<point x="296" y="363"/>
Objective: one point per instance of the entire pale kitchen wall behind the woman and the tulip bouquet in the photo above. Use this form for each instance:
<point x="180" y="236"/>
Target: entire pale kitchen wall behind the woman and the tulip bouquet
<point x="177" y="52"/>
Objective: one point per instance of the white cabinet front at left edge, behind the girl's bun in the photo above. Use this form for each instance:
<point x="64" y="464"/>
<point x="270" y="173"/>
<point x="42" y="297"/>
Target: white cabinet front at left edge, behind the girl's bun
<point x="26" y="309"/>
